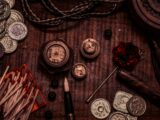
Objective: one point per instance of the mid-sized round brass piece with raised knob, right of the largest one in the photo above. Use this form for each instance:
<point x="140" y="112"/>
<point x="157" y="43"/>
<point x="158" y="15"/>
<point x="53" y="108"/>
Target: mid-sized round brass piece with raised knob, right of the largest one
<point x="90" y="48"/>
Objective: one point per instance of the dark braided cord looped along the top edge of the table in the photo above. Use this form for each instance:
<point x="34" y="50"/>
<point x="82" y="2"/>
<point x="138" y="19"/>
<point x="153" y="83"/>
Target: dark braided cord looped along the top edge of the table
<point x="80" y="11"/>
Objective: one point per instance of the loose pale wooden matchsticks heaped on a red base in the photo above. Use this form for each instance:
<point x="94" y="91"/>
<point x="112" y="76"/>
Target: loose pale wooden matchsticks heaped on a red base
<point x="18" y="93"/>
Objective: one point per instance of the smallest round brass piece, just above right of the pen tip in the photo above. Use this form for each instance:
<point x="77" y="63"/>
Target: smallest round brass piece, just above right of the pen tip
<point x="79" y="71"/>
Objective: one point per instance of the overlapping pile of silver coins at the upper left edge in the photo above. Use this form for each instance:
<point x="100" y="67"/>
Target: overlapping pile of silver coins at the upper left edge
<point x="12" y="27"/>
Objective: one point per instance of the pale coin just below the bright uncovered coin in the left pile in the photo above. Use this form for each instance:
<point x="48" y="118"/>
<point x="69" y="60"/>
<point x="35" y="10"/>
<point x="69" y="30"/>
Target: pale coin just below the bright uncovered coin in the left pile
<point x="9" y="44"/>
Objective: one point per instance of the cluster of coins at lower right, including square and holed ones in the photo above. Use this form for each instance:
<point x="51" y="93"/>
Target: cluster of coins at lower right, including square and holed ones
<point x="127" y="106"/>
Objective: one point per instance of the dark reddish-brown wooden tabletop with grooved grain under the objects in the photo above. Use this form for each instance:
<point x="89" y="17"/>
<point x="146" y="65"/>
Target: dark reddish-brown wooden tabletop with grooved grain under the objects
<point x="123" y="30"/>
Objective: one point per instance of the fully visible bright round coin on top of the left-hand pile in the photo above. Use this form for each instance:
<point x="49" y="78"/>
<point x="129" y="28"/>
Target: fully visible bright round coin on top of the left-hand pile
<point x="17" y="31"/>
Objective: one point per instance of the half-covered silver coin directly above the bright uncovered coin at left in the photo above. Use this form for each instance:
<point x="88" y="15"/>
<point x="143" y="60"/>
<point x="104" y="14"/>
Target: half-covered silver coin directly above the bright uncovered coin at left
<point x="15" y="16"/>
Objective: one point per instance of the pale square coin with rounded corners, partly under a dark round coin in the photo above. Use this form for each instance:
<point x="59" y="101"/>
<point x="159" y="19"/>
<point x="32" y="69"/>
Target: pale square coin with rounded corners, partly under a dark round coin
<point x="120" y="101"/>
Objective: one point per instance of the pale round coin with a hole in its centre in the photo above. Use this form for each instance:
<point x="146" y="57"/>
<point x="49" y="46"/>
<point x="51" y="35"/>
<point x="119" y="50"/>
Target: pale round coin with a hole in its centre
<point x="100" y="108"/>
